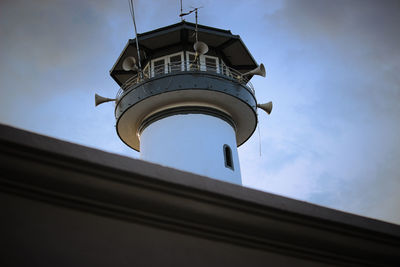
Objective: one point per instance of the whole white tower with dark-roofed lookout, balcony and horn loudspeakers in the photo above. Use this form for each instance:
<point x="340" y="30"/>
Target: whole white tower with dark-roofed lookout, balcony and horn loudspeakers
<point x="191" y="104"/>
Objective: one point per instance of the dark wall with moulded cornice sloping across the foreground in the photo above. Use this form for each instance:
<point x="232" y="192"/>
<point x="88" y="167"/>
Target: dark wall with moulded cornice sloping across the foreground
<point x="66" y="205"/>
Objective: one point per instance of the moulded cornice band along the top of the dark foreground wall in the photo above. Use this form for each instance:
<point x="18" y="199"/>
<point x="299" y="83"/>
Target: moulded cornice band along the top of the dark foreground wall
<point x="133" y="190"/>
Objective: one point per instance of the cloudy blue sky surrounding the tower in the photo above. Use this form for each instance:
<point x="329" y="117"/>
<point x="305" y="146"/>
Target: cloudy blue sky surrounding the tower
<point x="333" y="74"/>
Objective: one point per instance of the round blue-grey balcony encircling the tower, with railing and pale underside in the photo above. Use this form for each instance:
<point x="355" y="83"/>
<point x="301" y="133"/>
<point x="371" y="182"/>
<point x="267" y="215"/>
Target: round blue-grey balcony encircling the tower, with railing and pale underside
<point x="185" y="85"/>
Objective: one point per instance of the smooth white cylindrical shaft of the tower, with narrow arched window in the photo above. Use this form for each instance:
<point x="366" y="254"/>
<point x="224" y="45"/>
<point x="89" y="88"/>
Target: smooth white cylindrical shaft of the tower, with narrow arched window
<point x="198" y="143"/>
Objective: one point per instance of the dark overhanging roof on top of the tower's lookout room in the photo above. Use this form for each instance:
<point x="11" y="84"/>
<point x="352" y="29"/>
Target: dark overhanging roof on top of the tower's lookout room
<point x="231" y="48"/>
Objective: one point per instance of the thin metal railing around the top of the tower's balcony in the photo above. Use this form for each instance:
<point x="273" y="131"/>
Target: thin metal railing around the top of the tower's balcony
<point x="157" y="71"/>
